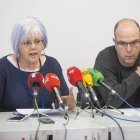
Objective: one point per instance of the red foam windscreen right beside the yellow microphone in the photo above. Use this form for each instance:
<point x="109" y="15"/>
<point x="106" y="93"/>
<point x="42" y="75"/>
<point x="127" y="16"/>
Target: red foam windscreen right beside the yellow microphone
<point x="74" y="75"/>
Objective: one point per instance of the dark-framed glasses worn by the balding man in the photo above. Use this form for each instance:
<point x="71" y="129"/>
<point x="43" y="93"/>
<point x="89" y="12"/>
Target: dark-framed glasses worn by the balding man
<point x="124" y="44"/>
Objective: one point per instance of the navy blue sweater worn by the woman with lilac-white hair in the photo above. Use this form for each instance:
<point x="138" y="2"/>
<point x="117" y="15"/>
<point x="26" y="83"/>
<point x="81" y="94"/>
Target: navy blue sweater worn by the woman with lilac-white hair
<point x="15" y="92"/>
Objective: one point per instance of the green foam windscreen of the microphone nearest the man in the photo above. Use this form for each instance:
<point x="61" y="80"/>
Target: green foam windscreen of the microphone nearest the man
<point x="96" y="76"/>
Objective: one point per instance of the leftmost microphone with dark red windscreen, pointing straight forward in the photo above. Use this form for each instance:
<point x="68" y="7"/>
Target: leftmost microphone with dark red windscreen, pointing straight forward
<point x="36" y="82"/>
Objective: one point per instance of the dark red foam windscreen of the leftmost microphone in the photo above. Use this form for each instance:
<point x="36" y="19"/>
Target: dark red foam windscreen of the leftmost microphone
<point x="36" y="79"/>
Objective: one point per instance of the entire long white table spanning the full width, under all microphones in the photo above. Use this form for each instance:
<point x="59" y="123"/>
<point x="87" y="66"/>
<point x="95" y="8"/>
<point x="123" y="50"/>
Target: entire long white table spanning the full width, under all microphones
<point x="82" y="127"/>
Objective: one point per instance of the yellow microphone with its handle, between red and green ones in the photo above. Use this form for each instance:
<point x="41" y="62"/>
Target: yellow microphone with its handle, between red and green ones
<point x="88" y="83"/>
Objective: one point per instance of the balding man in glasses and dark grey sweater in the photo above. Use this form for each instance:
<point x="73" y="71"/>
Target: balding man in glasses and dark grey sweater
<point x="120" y="64"/>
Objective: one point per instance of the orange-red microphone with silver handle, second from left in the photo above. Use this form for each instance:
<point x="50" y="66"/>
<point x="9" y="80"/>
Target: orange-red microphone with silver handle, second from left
<point x="52" y="83"/>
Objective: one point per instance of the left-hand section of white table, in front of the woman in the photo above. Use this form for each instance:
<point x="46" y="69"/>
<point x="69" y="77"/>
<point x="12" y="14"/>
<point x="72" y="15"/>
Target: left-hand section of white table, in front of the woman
<point x="80" y="128"/>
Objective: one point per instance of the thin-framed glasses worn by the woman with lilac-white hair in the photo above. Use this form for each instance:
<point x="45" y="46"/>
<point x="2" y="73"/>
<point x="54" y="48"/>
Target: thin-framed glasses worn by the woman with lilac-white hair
<point x="28" y="43"/>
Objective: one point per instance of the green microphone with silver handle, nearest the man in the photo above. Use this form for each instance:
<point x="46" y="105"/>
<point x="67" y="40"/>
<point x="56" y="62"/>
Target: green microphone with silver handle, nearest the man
<point x="98" y="80"/>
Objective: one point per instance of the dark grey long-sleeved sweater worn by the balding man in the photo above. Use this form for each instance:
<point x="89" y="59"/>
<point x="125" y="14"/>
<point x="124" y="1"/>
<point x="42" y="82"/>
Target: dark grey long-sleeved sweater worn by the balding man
<point x="124" y="80"/>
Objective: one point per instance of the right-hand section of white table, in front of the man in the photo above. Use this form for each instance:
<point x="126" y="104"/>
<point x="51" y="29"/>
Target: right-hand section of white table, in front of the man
<point x="131" y="129"/>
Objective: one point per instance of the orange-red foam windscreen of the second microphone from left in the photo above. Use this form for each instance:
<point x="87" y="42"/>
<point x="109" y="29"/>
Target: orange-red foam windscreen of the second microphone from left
<point x="51" y="80"/>
